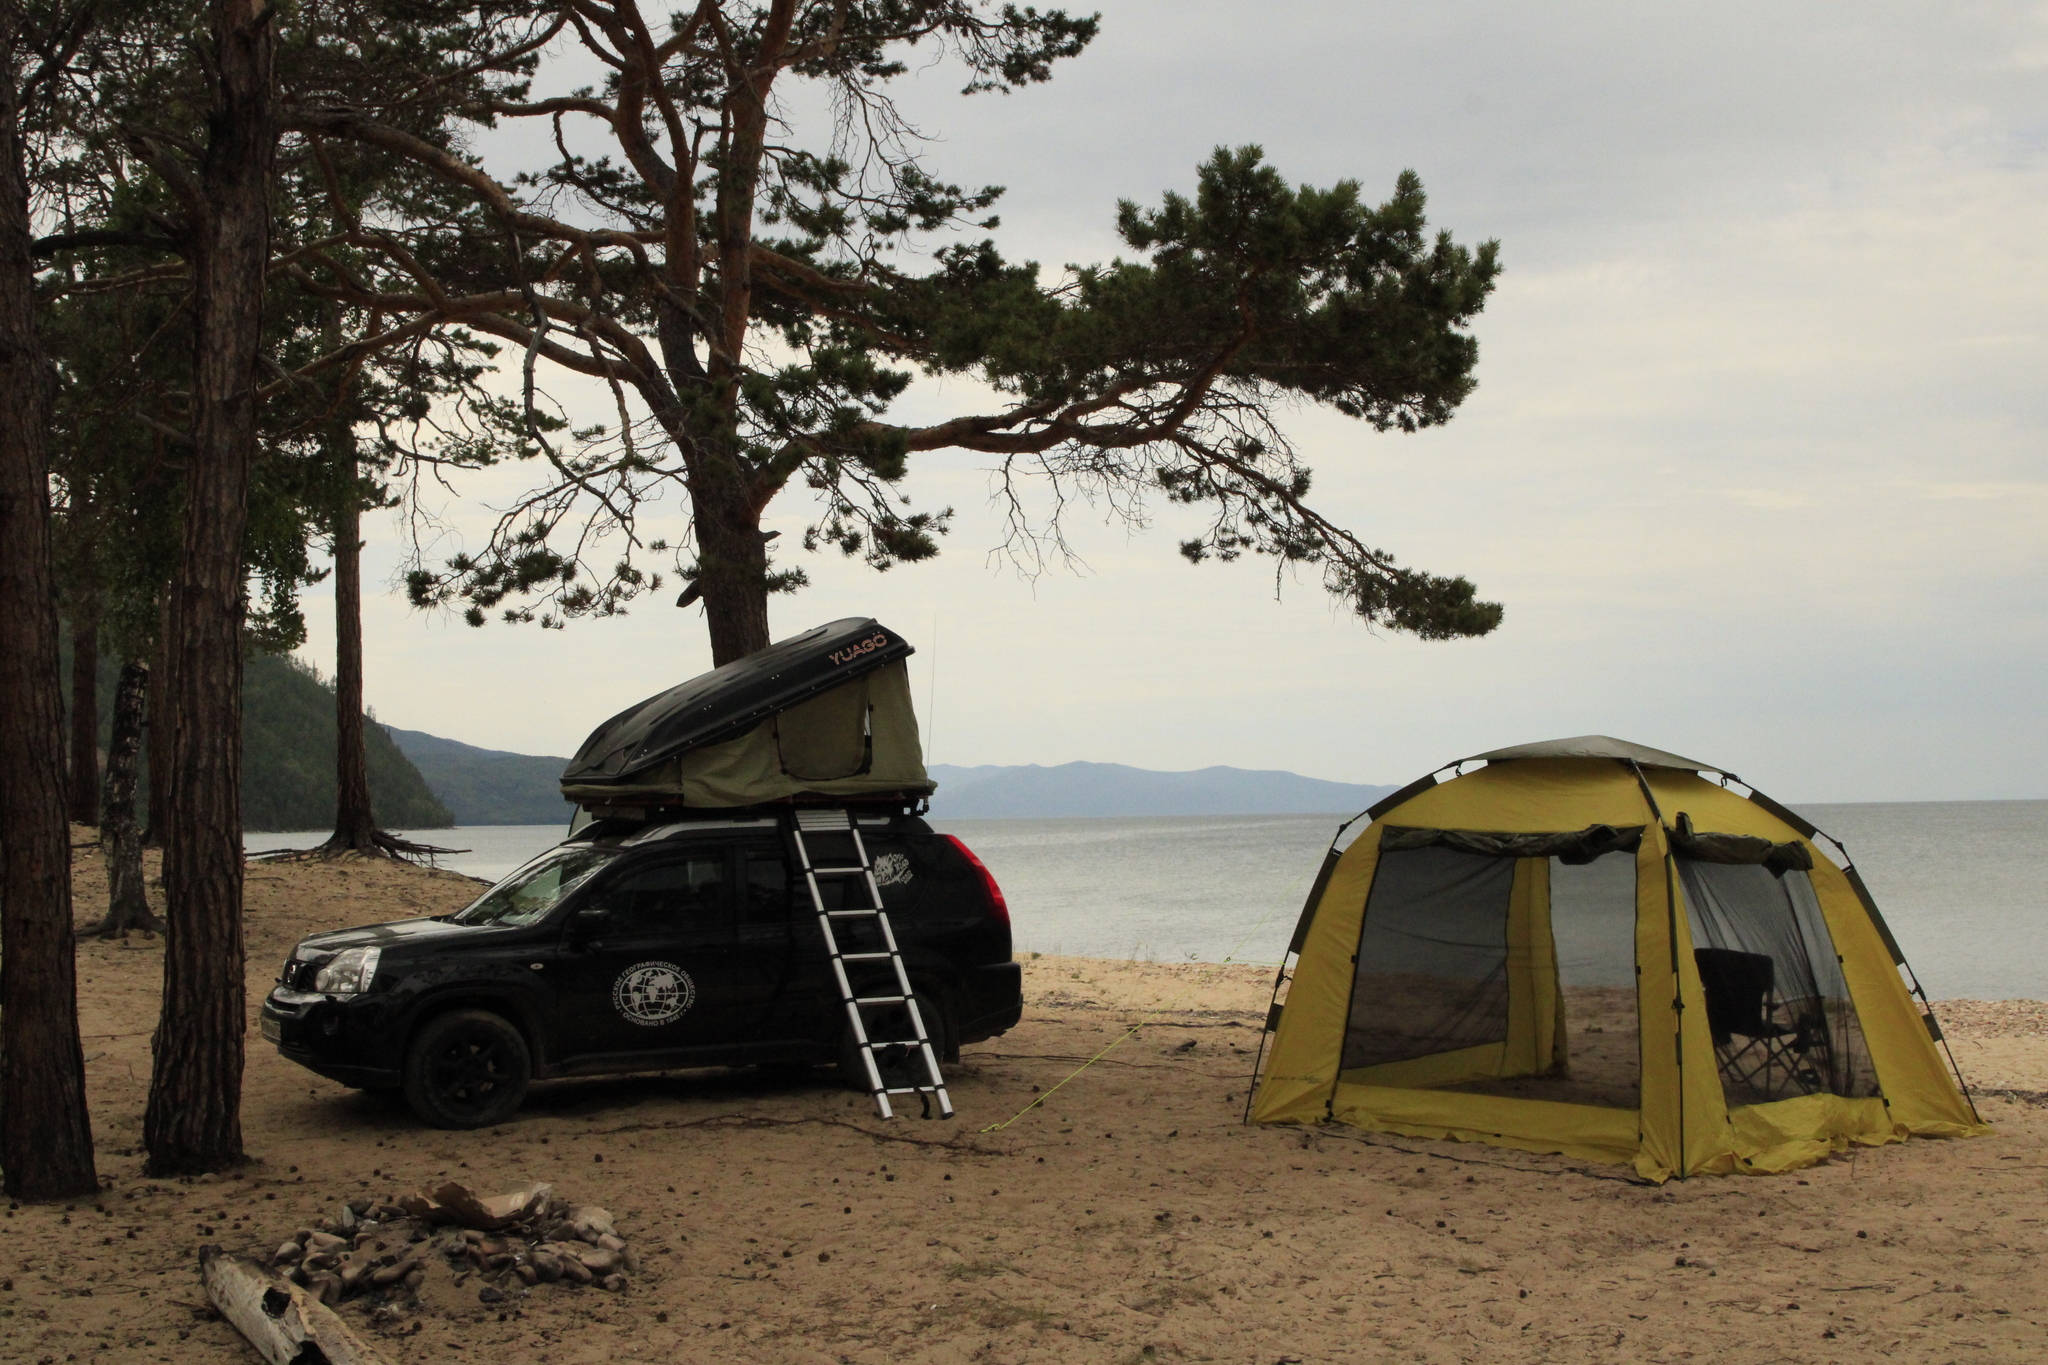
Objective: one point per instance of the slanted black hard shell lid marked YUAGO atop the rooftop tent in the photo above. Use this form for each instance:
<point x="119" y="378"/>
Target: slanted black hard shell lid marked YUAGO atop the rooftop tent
<point x="732" y="701"/>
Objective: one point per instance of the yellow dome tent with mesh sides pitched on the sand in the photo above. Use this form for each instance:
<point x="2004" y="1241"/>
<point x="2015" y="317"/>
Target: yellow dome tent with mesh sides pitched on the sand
<point x="1588" y="949"/>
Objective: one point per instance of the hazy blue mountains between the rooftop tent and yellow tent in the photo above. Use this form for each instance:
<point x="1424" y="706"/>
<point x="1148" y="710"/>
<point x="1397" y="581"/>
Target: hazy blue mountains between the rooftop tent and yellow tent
<point x="1113" y="789"/>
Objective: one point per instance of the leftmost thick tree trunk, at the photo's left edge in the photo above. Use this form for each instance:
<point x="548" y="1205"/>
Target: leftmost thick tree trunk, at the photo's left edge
<point x="46" y="1135"/>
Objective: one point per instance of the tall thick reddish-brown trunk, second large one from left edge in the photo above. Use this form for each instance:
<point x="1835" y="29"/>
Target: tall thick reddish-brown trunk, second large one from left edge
<point x="196" y="1092"/>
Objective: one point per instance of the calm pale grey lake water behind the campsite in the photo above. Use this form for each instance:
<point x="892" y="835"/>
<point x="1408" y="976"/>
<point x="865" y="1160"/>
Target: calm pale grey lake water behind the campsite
<point x="1961" y="883"/>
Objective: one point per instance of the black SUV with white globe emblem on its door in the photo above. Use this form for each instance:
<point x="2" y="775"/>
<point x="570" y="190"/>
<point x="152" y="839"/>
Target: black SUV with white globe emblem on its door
<point x="640" y="946"/>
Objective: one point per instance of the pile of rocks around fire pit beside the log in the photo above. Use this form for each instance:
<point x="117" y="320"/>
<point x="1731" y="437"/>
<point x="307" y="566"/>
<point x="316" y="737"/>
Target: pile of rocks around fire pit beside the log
<point x="505" y="1245"/>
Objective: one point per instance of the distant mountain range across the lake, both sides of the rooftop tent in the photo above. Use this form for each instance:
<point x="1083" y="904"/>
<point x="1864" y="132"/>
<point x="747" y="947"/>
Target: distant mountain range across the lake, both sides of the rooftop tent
<point x="490" y="787"/>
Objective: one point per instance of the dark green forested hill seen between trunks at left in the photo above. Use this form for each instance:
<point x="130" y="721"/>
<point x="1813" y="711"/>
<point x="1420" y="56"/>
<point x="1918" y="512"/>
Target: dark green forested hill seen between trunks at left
<point x="288" y="754"/>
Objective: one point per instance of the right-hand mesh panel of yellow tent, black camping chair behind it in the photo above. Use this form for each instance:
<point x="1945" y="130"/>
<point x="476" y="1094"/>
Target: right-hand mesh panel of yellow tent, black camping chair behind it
<point x="1777" y="1002"/>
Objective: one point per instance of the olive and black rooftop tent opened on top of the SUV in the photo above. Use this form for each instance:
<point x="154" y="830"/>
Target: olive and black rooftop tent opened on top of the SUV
<point x="824" y="713"/>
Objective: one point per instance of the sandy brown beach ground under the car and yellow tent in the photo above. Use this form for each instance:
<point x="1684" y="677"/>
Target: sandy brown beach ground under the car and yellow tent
<point x="1129" y="1219"/>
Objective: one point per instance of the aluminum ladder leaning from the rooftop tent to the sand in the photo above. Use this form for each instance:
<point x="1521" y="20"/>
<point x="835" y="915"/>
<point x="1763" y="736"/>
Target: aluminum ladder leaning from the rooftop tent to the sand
<point x="851" y="867"/>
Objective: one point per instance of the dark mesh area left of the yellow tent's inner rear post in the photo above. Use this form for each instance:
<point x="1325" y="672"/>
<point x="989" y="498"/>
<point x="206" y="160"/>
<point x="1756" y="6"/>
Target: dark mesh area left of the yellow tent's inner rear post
<point x="1433" y="959"/>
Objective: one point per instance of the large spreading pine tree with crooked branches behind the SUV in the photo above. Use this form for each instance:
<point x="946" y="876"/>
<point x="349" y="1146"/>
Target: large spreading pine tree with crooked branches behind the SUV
<point x="746" y="294"/>
